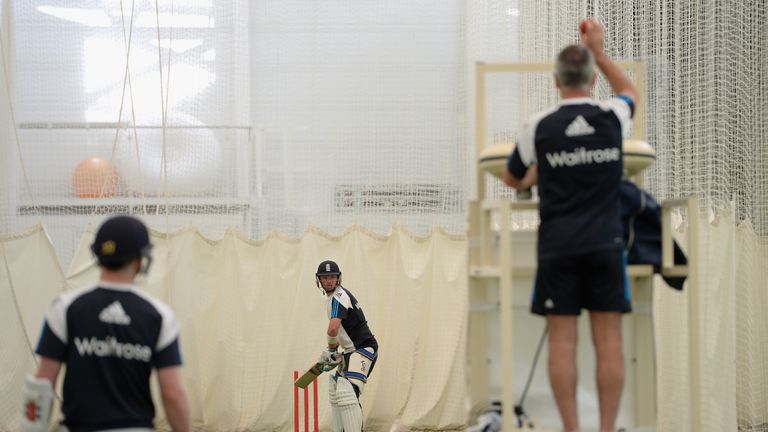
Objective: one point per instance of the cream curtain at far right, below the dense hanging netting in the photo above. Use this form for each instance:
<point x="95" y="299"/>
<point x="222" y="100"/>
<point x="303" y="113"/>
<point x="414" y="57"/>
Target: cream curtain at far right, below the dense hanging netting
<point x="733" y="343"/>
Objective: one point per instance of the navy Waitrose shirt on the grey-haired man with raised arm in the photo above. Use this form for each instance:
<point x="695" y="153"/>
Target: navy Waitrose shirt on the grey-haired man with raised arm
<point x="577" y="147"/>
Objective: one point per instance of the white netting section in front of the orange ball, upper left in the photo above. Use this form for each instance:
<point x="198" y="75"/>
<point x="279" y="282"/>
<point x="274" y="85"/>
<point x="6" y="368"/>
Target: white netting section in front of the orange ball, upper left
<point x="166" y="134"/>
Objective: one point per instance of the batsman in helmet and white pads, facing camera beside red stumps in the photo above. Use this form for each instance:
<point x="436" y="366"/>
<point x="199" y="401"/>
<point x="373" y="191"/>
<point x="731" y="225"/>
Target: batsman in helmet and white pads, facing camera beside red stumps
<point x="348" y="332"/>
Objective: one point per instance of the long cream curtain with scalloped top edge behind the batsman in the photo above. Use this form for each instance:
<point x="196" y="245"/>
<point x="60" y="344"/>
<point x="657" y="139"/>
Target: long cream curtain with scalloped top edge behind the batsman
<point x="250" y="314"/>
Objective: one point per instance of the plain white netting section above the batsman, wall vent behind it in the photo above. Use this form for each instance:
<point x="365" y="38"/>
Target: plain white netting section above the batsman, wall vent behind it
<point x="359" y="109"/>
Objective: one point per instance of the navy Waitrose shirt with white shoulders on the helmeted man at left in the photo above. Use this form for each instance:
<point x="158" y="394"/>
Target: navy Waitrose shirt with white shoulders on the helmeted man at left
<point x="110" y="337"/>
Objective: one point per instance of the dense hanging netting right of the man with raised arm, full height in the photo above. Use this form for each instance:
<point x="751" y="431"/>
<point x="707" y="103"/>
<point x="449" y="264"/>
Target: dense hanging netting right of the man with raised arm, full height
<point x="706" y="91"/>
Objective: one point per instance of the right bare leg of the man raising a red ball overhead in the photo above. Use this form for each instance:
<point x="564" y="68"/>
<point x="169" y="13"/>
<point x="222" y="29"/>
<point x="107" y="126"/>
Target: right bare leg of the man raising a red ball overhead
<point x="606" y="335"/>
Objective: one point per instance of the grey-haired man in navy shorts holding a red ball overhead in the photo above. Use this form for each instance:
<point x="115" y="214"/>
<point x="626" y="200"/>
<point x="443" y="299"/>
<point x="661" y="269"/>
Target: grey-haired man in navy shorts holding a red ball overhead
<point x="574" y="152"/>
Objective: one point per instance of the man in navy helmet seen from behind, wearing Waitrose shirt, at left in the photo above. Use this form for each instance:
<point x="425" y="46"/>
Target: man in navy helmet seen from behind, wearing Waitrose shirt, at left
<point x="110" y="336"/>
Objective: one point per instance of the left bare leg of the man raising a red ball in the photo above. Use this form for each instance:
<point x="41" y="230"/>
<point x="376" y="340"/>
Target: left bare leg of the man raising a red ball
<point x="563" y="376"/>
